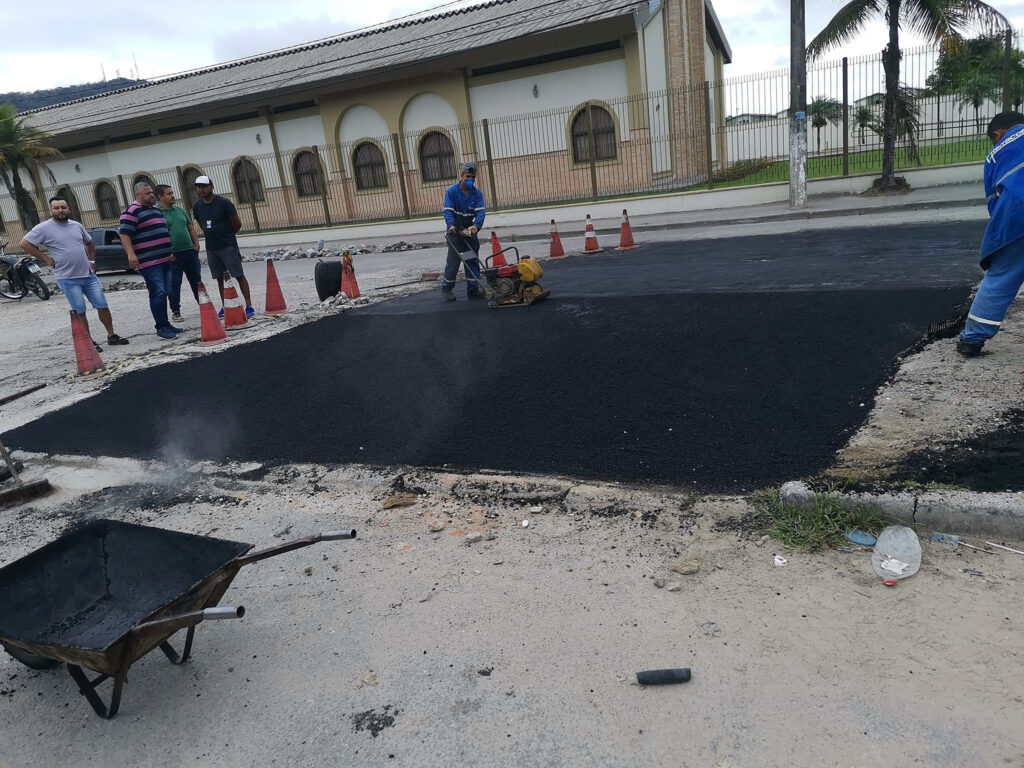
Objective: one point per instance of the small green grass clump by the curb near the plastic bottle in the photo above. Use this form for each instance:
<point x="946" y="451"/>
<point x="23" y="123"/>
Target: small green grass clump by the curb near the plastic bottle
<point x="821" y="527"/>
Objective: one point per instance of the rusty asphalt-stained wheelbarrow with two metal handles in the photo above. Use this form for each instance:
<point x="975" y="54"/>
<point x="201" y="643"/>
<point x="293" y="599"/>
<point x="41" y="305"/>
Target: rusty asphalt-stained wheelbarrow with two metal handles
<point x="105" y="595"/>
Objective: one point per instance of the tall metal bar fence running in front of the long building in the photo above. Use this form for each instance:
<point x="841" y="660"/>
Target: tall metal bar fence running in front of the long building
<point x="729" y="134"/>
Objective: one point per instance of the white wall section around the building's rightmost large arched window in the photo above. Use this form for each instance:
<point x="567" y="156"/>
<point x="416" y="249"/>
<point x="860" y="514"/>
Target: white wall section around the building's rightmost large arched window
<point x="545" y="134"/>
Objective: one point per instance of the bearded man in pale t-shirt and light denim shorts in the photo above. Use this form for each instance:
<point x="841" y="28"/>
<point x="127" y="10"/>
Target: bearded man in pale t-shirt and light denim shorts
<point x="73" y="257"/>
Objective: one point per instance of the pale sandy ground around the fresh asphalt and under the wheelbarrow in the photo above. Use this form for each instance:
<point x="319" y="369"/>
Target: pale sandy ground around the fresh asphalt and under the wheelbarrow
<point x="416" y="645"/>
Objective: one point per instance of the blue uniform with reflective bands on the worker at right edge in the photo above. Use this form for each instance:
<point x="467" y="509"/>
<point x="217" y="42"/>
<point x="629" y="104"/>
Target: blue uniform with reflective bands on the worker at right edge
<point x="1002" y="253"/>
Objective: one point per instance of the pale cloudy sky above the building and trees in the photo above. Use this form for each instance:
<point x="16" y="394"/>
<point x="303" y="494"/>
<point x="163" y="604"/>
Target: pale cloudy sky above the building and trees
<point x="76" y="42"/>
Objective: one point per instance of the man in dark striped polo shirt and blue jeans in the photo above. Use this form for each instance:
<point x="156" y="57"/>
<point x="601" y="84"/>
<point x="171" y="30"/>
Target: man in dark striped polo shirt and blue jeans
<point x="148" y="242"/>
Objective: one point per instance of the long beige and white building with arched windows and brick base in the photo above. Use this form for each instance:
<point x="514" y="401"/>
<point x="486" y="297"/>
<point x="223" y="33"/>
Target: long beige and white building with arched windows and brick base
<point x="556" y="101"/>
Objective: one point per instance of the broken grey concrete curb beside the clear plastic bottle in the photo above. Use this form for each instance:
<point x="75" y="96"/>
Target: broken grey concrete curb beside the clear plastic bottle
<point x="948" y="511"/>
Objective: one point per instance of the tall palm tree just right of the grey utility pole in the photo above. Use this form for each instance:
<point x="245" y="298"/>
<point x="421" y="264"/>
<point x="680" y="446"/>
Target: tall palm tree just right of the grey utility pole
<point x="943" y="21"/>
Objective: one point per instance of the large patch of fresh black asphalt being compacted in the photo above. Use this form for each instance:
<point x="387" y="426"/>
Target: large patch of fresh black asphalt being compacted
<point x="724" y="366"/>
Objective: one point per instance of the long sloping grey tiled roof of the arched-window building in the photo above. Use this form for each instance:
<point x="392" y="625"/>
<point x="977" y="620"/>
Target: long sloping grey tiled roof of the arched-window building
<point x="364" y="52"/>
